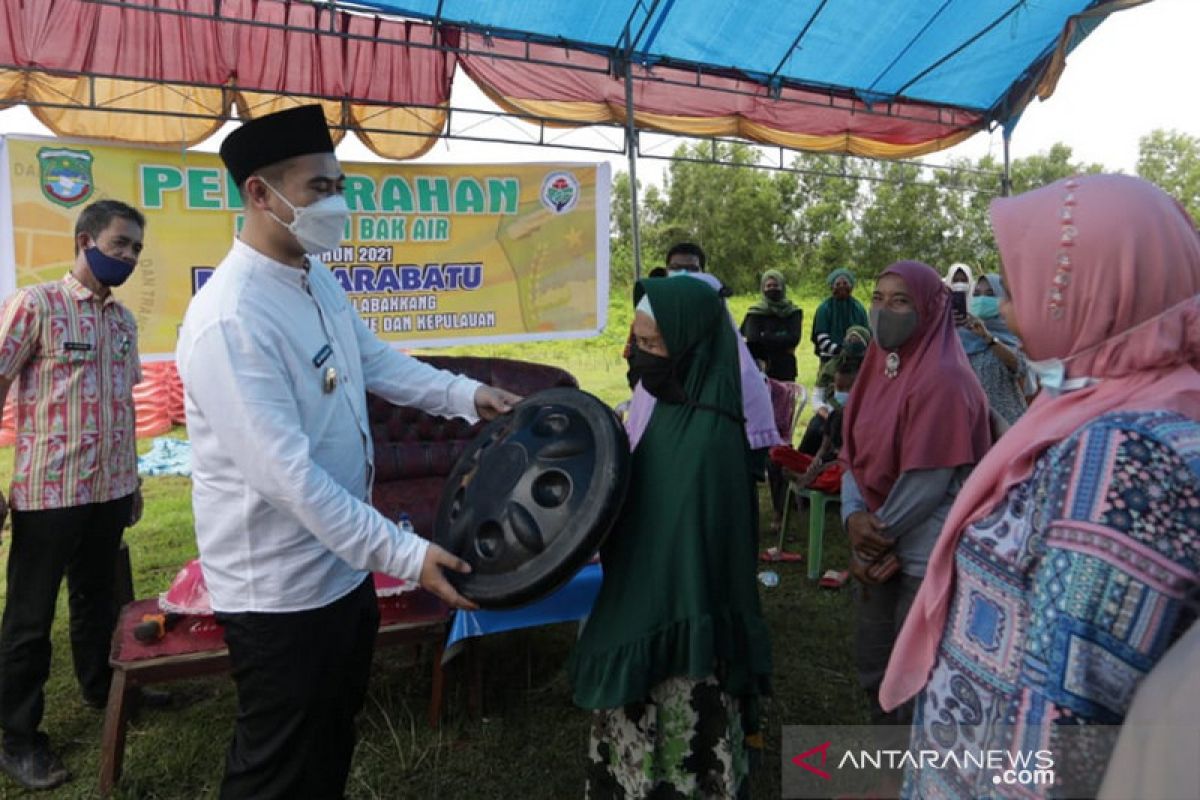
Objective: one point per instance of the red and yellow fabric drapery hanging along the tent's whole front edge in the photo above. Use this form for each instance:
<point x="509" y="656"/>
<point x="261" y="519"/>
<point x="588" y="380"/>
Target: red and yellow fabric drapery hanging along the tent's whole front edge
<point x="95" y="70"/>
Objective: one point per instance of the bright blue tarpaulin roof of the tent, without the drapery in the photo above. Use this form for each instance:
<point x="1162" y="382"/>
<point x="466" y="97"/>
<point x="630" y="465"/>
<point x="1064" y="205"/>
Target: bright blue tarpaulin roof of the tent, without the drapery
<point x="981" y="56"/>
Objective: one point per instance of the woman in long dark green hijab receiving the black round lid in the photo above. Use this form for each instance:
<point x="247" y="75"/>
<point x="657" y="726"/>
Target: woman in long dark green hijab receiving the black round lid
<point x="676" y="648"/>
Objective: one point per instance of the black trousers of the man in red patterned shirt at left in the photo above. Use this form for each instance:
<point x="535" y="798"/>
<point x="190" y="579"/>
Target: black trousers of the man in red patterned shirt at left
<point x="82" y="543"/>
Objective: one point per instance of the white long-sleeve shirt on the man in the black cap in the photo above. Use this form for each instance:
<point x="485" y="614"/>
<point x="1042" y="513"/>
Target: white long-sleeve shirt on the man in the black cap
<point x="281" y="468"/>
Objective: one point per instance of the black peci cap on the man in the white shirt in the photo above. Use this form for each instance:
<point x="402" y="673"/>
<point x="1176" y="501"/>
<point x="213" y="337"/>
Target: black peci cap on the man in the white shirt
<point x="274" y="139"/>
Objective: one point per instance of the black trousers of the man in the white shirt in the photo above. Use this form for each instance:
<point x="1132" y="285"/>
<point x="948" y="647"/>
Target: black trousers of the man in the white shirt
<point x="302" y="679"/>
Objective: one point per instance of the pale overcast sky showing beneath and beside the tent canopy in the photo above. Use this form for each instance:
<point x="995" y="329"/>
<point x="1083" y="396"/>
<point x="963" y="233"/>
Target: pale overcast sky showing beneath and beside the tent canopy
<point x="1136" y="74"/>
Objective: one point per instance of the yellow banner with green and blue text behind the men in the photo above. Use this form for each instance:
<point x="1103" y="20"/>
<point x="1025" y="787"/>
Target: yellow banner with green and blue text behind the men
<point x="434" y="255"/>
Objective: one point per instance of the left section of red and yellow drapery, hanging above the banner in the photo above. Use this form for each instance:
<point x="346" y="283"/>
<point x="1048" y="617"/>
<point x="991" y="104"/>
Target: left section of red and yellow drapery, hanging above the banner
<point x="94" y="70"/>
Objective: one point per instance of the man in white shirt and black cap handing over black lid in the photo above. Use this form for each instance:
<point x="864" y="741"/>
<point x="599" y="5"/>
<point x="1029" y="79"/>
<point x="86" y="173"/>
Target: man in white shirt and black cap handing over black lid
<point x="277" y="366"/>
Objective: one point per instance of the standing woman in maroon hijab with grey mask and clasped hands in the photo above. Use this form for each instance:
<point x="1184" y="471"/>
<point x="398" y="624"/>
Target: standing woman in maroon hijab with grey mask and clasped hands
<point x="915" y="426"/>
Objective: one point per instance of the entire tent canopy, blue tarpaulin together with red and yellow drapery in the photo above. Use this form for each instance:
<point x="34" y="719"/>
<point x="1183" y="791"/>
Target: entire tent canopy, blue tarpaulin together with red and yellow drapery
<point x="879" y="79"/>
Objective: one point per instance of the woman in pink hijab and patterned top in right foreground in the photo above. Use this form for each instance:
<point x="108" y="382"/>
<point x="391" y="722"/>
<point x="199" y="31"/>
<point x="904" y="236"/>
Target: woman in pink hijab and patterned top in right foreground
<point x="1071" y="561"/>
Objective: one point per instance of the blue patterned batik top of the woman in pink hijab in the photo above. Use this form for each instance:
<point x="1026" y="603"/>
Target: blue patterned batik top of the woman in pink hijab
<point x="1066" y="597"/>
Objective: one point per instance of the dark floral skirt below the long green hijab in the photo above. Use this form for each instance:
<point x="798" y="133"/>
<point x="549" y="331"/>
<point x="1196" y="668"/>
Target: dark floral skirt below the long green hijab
<point x="685" y="742"/>
